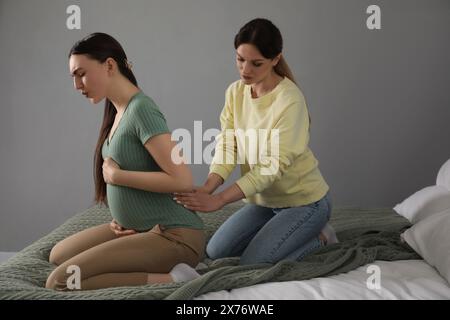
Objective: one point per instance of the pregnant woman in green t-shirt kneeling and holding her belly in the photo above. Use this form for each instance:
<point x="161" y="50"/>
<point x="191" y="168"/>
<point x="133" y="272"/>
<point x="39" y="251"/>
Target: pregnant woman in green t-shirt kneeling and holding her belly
<point x="151" y="238"/>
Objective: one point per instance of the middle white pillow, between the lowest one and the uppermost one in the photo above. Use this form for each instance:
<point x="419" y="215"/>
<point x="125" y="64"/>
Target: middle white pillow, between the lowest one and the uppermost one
<point x="423" y="203"/>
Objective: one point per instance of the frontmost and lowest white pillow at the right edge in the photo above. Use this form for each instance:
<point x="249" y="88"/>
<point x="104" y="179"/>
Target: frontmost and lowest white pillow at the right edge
<point x="430" y="238"/>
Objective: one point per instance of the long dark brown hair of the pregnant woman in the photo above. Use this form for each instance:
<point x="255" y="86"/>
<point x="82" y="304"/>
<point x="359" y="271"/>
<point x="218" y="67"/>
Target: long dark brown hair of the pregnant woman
<point x="101" y="46"/>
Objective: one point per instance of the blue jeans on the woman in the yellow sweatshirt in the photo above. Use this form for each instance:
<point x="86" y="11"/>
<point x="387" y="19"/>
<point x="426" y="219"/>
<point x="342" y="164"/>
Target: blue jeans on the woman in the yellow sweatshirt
<point x="268" y="235"/>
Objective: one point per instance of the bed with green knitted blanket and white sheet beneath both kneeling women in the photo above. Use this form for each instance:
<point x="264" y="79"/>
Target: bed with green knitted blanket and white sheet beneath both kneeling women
<point x="368" y="236"/>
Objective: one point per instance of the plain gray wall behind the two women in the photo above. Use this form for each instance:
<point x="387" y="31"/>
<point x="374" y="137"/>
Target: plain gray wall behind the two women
<point x="379" y="100"/>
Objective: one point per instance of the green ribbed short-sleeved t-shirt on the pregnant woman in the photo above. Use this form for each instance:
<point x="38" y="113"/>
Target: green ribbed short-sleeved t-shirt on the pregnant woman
<point x="134" y="208"/>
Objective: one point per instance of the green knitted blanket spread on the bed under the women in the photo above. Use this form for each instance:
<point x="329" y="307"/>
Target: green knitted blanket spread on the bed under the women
<point x="365" y="235"/>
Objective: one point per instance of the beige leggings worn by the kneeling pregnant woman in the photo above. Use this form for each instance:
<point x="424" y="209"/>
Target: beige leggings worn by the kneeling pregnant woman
<point x="106" y="260"/>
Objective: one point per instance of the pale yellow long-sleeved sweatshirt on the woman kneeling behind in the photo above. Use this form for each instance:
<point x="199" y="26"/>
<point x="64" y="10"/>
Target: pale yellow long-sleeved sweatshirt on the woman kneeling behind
<point x="278" y="169"/>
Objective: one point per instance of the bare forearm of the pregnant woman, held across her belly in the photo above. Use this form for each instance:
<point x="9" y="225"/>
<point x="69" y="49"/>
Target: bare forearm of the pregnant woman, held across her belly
<point x="153" y="181"/>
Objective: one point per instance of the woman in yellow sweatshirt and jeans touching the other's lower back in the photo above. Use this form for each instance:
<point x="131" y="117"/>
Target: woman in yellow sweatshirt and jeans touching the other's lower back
<point x="288" y="203"/>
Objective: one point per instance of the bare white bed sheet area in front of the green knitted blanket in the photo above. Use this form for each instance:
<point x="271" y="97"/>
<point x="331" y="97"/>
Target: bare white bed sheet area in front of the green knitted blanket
<point x="403" y="279"/>
